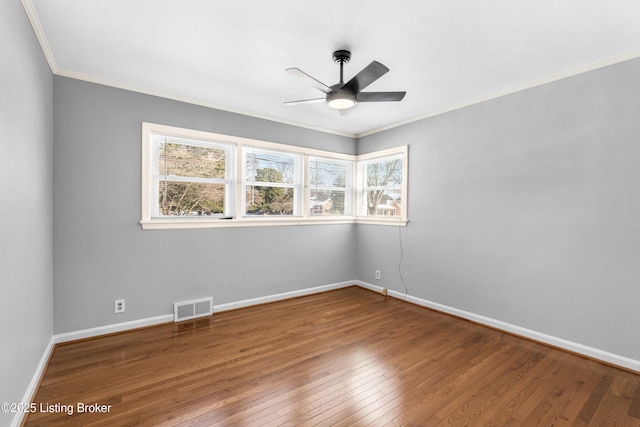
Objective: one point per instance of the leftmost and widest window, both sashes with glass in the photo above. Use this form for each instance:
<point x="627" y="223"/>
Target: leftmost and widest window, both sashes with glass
<point x="190" y="177"/>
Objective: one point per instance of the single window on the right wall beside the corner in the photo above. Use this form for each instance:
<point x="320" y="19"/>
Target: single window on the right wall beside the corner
<point x="382" y="185"/>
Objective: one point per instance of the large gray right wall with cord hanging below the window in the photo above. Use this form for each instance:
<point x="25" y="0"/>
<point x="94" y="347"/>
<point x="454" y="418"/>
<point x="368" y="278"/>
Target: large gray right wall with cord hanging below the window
<point x="525" y="209"/>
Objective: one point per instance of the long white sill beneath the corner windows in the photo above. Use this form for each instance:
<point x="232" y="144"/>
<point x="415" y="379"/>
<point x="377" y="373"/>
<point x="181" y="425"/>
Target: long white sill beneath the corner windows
<point x="176" y="224"/>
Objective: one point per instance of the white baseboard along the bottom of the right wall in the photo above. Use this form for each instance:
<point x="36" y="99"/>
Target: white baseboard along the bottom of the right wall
<point x="591" y="352"/>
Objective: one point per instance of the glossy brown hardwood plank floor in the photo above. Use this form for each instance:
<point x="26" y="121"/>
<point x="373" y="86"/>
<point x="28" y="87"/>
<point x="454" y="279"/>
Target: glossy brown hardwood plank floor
<point x="346" y="357"/>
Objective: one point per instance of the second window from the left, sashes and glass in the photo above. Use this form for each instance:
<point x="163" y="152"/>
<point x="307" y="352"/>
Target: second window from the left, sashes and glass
<point x="272" y="182"/>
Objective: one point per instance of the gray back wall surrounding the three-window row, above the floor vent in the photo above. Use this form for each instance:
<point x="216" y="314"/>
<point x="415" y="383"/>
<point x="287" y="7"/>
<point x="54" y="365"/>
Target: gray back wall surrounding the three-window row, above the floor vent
<point x="102" y="254"/>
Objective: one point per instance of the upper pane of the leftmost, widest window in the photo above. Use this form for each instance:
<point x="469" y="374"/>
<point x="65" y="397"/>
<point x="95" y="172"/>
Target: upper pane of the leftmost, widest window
<point x="191" y="160"/>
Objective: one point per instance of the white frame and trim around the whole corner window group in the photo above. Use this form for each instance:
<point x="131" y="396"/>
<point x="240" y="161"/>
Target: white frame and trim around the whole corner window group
<point x="236" y="181"/>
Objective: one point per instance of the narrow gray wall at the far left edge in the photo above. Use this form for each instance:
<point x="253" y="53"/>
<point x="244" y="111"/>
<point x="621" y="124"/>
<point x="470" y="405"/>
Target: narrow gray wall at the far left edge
<point x="25" y="204"/>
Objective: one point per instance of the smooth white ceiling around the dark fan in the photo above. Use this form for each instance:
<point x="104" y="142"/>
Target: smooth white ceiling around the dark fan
<point x="232" y="54"/>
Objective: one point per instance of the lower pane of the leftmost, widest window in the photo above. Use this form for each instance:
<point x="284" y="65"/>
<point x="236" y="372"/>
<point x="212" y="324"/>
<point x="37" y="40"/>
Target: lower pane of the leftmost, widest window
<point x="190" y="199"/>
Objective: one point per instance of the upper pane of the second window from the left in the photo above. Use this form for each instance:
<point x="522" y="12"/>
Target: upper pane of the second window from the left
<point x="262" y="166"/>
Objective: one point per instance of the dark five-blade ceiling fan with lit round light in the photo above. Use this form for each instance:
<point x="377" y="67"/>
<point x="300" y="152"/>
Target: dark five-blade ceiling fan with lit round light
<point x="342" y="96"/>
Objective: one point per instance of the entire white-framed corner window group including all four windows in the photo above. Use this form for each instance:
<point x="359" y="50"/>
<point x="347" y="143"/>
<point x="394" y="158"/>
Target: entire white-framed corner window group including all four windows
<point x="193" y="179"/>
